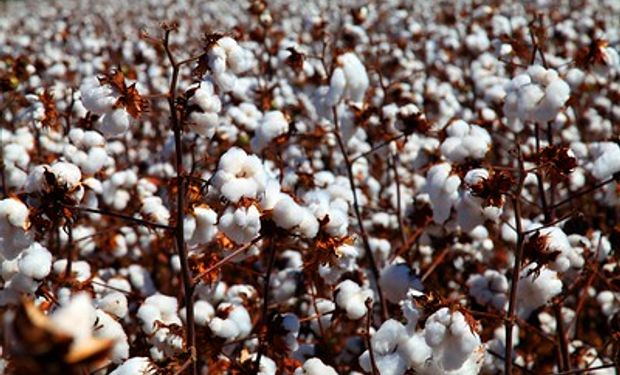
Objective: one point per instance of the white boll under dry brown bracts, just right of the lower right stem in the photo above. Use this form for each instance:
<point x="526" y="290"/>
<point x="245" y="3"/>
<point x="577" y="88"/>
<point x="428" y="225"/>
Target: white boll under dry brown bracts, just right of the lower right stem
<point x="536" y="288"/>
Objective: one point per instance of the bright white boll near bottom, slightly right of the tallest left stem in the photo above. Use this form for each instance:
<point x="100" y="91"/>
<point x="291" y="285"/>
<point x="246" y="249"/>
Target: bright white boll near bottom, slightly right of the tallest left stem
<point x="236" y="324"/>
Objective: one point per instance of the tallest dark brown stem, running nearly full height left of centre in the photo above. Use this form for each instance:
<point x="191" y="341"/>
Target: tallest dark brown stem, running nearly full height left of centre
<point x="188" y="288"/>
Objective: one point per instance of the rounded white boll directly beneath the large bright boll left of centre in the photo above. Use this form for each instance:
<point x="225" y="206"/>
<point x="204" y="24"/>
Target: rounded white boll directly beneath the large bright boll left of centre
<point x="241" y="225"/>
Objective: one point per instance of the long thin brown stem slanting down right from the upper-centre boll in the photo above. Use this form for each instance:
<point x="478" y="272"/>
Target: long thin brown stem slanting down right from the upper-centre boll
<point x="358" y="214"/>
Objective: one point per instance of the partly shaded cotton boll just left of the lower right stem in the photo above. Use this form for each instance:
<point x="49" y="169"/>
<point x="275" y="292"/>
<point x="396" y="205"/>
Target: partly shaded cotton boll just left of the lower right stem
<point x="490" y="288"/>
